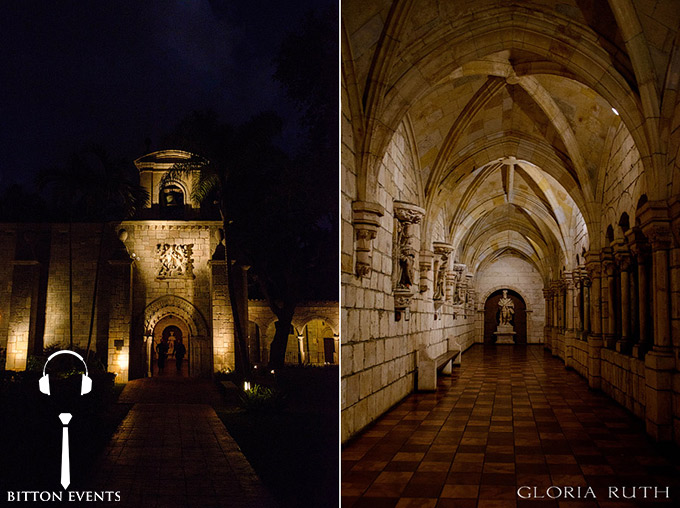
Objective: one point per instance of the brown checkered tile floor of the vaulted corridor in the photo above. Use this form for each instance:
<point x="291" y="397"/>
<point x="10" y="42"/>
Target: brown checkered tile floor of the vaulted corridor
<point x="511" y="416"/>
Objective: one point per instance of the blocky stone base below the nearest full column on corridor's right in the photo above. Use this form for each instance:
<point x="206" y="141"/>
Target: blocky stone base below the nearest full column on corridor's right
<point x="659" y="365"/>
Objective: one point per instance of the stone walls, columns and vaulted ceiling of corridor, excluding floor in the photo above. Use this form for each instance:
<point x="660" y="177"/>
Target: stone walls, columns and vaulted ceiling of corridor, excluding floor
<point x="522" y="146"/>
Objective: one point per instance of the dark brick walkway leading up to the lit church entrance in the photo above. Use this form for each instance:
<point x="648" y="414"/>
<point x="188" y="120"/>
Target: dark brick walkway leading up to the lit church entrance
<point x="169" y="455"/>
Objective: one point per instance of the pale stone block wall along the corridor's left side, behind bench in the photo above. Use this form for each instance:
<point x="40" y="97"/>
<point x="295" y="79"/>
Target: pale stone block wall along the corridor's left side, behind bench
<point x="378" y="365"/>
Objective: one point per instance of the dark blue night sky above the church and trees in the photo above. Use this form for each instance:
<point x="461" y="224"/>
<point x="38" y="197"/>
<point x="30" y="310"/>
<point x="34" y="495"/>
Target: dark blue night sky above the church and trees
<point x="118" y="72"/>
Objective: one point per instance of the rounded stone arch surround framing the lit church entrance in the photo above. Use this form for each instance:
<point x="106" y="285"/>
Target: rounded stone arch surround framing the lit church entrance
<point x="174" y="310"/>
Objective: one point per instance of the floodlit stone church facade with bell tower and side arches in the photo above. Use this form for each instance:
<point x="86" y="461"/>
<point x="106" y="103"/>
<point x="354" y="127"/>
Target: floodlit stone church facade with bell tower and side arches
<point x="163" y="275"/>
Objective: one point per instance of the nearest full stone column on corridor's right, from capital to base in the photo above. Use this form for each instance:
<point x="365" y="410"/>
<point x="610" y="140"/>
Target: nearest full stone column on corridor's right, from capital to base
<point x="660" y="362"/>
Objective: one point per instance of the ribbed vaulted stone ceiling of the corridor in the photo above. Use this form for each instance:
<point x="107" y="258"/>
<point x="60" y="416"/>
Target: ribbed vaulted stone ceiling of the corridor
<point x="517" y="114"/>
